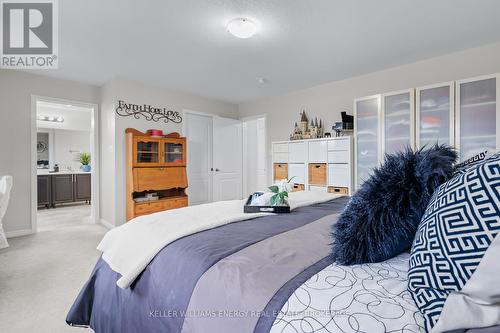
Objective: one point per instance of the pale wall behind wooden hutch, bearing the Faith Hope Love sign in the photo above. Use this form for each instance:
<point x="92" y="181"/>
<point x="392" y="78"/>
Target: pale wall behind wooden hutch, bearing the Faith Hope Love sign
<point x="113" y="198"/>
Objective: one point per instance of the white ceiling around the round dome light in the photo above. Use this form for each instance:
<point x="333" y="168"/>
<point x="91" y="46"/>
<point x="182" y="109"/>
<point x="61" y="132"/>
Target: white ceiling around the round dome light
<point x="183" y="44"/>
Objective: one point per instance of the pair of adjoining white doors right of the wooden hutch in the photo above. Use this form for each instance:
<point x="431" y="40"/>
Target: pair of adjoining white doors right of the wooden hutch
<point x="215" y="158"/>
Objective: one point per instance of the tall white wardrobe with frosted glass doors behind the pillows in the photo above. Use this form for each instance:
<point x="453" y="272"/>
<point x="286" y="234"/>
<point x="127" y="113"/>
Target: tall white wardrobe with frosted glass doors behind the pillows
<point x="464" y="114"/>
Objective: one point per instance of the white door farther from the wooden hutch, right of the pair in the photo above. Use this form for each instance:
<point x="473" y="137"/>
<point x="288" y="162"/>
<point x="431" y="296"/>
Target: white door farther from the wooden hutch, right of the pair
<point x="227" y="159"/>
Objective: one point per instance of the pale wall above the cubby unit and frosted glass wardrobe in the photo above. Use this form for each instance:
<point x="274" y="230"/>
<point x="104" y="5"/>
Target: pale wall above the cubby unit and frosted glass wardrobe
<point x="328" y="100"/>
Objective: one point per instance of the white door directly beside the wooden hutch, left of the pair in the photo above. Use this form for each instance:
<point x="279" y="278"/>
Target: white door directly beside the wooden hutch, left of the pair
<point x="198" y="131"/>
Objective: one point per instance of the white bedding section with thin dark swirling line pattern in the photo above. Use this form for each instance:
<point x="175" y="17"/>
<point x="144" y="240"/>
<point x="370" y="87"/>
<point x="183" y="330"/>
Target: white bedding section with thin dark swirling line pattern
<point x="367" y="298"/>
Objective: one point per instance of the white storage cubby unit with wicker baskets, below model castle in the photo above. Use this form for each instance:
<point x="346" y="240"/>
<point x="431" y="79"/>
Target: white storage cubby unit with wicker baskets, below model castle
<point x="316" y="164"/>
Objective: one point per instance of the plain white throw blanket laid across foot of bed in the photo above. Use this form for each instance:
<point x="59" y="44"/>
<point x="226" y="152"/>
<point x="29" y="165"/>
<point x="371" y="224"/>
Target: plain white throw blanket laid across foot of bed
<point x="128" y="249"/>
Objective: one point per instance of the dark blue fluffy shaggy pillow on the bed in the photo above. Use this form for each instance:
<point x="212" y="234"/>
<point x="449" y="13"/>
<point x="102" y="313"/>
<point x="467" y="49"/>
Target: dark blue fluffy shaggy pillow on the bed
<point x="381" y="219"/>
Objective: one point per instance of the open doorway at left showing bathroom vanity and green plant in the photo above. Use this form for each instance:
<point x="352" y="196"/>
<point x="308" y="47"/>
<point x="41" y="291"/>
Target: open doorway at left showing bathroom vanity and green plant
<point x="65" y="179"/>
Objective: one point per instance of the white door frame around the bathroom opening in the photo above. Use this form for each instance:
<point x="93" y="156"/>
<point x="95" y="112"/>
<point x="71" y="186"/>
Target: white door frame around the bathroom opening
<point x="94" y="151"/>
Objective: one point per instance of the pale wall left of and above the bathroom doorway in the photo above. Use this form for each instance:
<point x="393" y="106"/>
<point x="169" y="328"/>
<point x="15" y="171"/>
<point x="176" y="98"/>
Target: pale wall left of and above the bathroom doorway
<point x="16" y="89"/>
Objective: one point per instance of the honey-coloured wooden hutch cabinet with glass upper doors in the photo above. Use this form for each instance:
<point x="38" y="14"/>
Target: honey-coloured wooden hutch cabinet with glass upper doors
<point x="155" y="165"/>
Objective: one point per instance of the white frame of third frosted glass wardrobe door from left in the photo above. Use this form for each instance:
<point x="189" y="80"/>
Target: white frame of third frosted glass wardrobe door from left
<point x="451" y="87"/>
